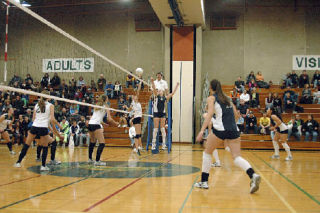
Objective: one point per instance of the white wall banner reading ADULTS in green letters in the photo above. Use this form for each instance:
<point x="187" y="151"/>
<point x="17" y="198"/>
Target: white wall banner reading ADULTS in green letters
<point x="68" y="65"/>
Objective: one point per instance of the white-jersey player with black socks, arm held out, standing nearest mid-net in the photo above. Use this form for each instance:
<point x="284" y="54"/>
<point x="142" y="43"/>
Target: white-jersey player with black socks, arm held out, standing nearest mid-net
<point x="96" y="129"/>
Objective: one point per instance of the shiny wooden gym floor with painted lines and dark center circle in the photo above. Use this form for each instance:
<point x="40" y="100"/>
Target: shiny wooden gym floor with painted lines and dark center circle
<point x="158" y="183"/>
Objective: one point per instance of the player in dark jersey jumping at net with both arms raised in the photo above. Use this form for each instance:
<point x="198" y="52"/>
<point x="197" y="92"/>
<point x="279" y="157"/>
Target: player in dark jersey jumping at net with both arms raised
<point x="159" y="113"/>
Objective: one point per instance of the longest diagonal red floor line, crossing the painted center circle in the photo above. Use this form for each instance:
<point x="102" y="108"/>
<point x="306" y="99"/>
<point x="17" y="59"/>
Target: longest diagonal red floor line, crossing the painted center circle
<point x="128" y="185"/>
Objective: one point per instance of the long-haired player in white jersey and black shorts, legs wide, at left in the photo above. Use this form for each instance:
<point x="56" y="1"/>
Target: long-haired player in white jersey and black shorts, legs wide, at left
<point x="43" y="114"/>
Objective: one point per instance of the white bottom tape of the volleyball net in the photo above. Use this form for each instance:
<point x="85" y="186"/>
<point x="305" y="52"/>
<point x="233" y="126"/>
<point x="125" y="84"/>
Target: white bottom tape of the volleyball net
<point x="22" y="91"/>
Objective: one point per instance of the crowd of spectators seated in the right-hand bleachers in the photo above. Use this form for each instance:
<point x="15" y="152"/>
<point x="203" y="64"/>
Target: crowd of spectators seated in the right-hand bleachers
<point x="245" y="96"/>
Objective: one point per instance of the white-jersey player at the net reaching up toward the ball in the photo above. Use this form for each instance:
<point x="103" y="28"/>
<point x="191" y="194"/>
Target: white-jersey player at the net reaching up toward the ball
<point x="137" y="115"/>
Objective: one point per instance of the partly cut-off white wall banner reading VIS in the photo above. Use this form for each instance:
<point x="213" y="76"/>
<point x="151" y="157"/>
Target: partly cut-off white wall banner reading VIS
<point x="306" y="62"/>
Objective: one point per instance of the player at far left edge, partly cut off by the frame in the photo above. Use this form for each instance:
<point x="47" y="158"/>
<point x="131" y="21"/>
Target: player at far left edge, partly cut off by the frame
<point x="6" y="120"/>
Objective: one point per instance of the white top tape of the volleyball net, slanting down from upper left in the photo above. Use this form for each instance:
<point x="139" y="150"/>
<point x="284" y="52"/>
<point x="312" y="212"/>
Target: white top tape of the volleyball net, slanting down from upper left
<point x="67" y="35"/>
